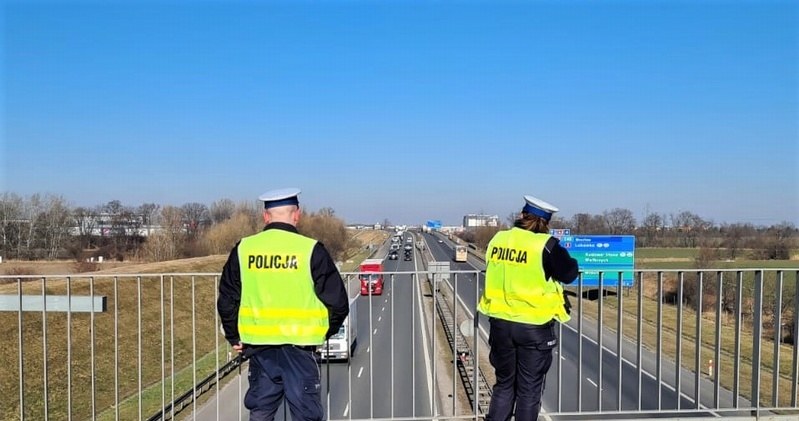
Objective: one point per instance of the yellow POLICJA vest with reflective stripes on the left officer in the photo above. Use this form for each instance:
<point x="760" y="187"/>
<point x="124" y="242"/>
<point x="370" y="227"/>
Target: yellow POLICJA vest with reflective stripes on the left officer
<point x="278" y="301"/>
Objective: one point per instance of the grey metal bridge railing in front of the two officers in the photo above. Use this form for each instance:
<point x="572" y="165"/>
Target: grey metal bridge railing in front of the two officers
<point x="676" y="343"/>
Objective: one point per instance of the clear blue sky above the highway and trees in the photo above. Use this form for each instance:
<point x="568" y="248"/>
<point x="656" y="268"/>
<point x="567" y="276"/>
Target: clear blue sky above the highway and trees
<point x="408" y="110"/>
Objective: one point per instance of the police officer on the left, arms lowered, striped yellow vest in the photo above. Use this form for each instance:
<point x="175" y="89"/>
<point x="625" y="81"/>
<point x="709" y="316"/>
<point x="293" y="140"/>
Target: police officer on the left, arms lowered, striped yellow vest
<point x="280" y="296"/>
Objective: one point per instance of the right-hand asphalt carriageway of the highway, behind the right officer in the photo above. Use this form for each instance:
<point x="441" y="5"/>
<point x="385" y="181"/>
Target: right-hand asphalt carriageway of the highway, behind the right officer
<point x="652" y="396"/>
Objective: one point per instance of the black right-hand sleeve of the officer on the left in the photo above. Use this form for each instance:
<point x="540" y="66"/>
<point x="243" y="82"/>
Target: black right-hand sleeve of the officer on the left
<point x="329" y="288"/>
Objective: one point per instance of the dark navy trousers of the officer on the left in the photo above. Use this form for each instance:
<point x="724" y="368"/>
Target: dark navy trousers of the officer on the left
<point x="289" y="371"/>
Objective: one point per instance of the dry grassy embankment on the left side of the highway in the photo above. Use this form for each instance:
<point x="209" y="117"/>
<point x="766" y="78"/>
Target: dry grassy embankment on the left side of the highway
<point x="163" y="306"/>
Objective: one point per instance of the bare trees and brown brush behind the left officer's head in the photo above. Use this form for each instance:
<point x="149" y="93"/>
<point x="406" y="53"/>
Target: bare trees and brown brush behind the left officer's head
<point x="47" y="227"/>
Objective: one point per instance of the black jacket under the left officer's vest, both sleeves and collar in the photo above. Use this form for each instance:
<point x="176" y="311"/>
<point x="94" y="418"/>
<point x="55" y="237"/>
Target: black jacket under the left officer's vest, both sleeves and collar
<point x="328" y="286"/>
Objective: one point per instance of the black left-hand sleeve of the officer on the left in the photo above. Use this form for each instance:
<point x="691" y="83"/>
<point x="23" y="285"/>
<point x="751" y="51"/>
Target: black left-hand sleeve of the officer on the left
<point x="230" y="297"/>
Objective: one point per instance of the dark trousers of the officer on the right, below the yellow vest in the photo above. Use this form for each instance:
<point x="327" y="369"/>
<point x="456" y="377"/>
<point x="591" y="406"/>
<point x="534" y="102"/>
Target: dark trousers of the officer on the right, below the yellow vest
<point x="521" y="354"/>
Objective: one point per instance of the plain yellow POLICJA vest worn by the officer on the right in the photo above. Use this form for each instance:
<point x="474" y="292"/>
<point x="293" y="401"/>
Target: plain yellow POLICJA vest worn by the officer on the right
<point x="516" y="288"/>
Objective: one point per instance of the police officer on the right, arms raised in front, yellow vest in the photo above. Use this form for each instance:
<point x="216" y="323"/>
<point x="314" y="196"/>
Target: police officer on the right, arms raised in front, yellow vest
<point x="523" y="297"/>
